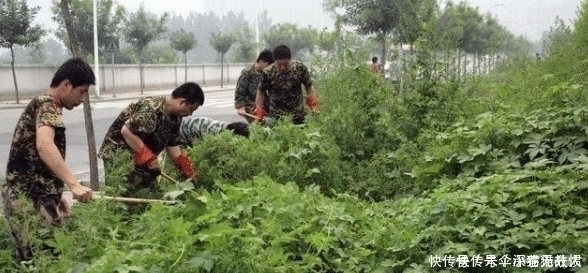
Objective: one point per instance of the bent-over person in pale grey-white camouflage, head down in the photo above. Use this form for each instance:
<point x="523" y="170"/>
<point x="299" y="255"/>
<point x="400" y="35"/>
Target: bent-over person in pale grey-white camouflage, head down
<point x="197" y="127"/>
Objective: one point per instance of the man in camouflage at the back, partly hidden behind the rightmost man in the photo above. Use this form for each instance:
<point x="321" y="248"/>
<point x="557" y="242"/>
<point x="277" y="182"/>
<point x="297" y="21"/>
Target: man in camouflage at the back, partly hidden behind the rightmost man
<point x="247" y="85"/>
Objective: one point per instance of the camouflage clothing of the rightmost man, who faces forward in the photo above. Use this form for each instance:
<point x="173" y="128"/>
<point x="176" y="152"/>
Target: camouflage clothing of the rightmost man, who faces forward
<point x="285" y="91"/>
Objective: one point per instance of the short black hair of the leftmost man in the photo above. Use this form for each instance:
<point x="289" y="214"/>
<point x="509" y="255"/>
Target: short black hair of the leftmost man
<point x="77" y="71"/>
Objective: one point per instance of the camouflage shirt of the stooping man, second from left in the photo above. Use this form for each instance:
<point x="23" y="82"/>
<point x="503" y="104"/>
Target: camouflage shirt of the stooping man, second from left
<point x="147" y="119"/>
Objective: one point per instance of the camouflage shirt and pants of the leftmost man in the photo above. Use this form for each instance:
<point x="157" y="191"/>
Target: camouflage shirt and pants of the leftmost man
<point x="29" y="177"/>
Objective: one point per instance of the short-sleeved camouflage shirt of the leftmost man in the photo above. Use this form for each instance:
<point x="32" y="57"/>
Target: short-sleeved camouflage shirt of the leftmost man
<point x="25" y="169"/>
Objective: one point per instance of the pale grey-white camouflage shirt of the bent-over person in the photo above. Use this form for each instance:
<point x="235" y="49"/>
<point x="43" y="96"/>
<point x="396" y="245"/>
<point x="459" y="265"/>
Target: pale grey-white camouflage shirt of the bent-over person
<point x="197" y="127"/>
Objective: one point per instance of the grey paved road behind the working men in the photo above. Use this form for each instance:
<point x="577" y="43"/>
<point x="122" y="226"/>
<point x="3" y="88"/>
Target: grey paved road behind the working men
<point x="217" y="105"/>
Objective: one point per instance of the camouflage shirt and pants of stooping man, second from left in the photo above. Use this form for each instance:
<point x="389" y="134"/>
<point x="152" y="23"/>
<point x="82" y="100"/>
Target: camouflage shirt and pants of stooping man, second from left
<point x="147" y="119"/>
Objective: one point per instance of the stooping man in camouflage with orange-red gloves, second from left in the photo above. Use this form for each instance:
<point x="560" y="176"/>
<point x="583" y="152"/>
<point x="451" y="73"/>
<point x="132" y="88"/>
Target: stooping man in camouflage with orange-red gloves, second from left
<point x="142" y="131"/>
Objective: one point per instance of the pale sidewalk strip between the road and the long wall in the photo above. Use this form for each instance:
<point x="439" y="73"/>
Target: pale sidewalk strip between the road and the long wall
<point x="120" y="96"/>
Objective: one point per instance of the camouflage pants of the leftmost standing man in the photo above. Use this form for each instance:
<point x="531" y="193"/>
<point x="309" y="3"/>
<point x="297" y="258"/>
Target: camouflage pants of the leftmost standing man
<point x="18" y="212"/>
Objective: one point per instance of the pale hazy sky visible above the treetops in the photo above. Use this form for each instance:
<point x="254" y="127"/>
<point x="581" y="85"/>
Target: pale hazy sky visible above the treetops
<point x="522" y="17"/>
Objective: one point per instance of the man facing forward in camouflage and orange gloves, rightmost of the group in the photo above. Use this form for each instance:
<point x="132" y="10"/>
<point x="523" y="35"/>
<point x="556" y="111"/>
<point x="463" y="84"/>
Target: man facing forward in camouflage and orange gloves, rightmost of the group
<point x="282" y="81"/>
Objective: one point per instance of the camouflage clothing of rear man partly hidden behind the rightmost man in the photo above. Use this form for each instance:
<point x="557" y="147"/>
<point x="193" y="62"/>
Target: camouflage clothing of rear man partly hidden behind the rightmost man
<point x="246" y="91"/>
